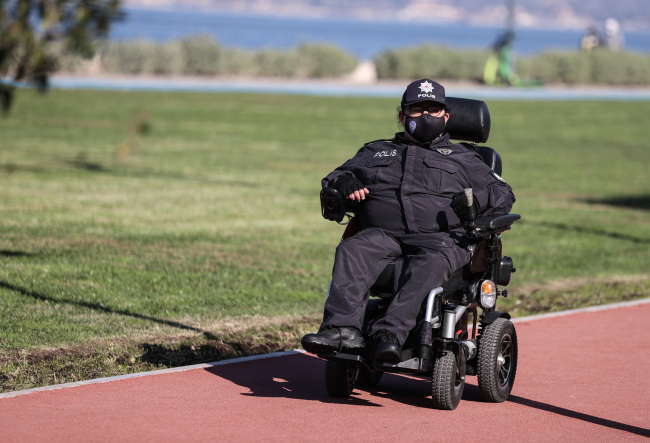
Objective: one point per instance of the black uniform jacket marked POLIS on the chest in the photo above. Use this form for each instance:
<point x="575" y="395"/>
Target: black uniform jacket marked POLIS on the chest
<point x="411" y="186"/>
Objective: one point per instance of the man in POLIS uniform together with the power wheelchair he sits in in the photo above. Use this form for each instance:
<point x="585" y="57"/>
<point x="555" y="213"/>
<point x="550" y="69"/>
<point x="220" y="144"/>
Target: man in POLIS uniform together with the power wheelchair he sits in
<point x="429" y="215"/>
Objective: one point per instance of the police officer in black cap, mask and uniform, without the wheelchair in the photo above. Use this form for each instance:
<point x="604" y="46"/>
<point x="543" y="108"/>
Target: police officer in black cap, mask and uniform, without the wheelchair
<point x="410" y="188"/>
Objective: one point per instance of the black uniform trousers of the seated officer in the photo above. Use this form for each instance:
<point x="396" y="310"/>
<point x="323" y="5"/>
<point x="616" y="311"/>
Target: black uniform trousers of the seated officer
<point x="429" y="260"/>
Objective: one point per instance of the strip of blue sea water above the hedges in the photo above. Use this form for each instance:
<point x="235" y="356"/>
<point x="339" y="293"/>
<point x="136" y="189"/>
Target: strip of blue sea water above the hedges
<point x="364" y="39"/>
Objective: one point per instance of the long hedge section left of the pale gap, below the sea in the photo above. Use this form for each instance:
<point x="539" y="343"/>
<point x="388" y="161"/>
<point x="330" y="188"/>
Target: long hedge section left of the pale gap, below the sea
<point x="201" y="55"/>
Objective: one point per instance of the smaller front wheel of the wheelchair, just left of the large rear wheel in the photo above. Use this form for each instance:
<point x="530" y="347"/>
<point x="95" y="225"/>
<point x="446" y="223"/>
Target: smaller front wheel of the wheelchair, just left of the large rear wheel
<point x="446" y="385"/>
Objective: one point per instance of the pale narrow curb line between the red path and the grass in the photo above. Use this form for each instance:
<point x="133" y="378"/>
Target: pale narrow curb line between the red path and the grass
<point x="296" y="351"/>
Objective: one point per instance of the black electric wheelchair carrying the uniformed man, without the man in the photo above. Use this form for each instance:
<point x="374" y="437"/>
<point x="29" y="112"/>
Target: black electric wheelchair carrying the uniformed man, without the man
<point x="440" y="345"/>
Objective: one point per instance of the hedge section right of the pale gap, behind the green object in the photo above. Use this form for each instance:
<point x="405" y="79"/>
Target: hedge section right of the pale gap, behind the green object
<point x="570" y="67"/>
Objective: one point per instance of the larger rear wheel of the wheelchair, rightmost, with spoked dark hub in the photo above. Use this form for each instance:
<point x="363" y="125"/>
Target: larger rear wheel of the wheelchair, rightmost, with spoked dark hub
<point x="497" y="360"/>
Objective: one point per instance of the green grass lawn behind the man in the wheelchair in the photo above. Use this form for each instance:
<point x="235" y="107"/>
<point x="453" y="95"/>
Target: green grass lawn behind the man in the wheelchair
<point x="212" y="217"/>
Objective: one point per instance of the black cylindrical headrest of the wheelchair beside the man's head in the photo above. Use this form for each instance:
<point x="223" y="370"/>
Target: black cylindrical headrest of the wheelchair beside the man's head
<point x="469" y="120"/>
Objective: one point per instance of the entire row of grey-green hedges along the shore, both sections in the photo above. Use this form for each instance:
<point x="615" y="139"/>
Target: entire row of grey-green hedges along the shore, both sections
<point x="201" y="55"/>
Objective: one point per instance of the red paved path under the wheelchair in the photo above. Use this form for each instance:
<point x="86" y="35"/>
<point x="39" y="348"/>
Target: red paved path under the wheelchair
<point x="581" y="377"/>
